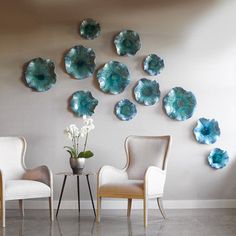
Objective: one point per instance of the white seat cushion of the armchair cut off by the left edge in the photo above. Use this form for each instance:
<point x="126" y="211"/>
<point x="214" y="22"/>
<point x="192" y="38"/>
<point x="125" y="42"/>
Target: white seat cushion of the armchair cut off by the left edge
<point x="23" y="189"/>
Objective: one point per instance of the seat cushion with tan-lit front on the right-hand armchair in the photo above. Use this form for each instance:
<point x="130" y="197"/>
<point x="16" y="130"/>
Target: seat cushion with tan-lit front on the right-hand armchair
<point x="123" y="189"/>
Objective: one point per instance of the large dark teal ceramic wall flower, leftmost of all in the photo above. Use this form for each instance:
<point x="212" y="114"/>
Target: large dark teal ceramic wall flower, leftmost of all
<point x="40" y="75"/>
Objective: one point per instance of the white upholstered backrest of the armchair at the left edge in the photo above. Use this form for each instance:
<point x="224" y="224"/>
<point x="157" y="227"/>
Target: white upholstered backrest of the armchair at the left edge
<point x="12" y="151"/>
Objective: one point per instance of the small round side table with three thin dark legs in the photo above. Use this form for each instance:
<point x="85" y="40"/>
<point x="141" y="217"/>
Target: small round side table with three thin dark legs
<point x="66" y="174"/>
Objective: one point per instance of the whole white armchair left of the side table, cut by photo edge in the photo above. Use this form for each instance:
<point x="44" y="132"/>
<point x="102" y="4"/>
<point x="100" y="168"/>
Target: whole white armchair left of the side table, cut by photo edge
<point x="16" y="181"/>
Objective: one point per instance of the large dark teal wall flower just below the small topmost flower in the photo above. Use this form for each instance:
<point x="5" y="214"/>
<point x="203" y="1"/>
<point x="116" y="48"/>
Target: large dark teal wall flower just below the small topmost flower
<point x="80" y="62"/>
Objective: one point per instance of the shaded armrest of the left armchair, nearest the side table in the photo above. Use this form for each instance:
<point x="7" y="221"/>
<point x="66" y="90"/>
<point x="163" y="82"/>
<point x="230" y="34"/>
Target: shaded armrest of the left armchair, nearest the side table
<point x="42" y="174"/>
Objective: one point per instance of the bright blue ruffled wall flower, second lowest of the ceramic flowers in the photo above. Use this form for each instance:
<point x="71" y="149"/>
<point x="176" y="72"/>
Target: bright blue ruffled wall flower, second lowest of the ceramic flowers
<point x="207" y="131"/>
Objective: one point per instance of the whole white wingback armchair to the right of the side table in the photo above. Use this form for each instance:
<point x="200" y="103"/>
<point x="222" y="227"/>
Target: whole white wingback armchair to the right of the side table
<point x="143" y="177"/>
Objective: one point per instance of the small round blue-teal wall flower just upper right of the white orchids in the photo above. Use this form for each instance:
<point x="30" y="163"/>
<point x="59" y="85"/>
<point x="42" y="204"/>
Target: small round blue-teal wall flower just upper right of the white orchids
<point x="125" y="110"/>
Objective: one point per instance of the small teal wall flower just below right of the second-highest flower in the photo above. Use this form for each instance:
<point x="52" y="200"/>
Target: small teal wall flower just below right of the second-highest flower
<point x="153" y="64"/>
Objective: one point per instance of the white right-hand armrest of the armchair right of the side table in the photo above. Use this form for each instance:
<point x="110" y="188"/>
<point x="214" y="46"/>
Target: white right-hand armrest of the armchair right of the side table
<point x="154" y="181"/>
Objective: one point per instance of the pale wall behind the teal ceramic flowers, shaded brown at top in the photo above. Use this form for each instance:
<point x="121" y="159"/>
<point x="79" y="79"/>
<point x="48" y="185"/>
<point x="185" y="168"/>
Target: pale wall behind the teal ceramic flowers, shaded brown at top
<point x="197" y="40"/>
